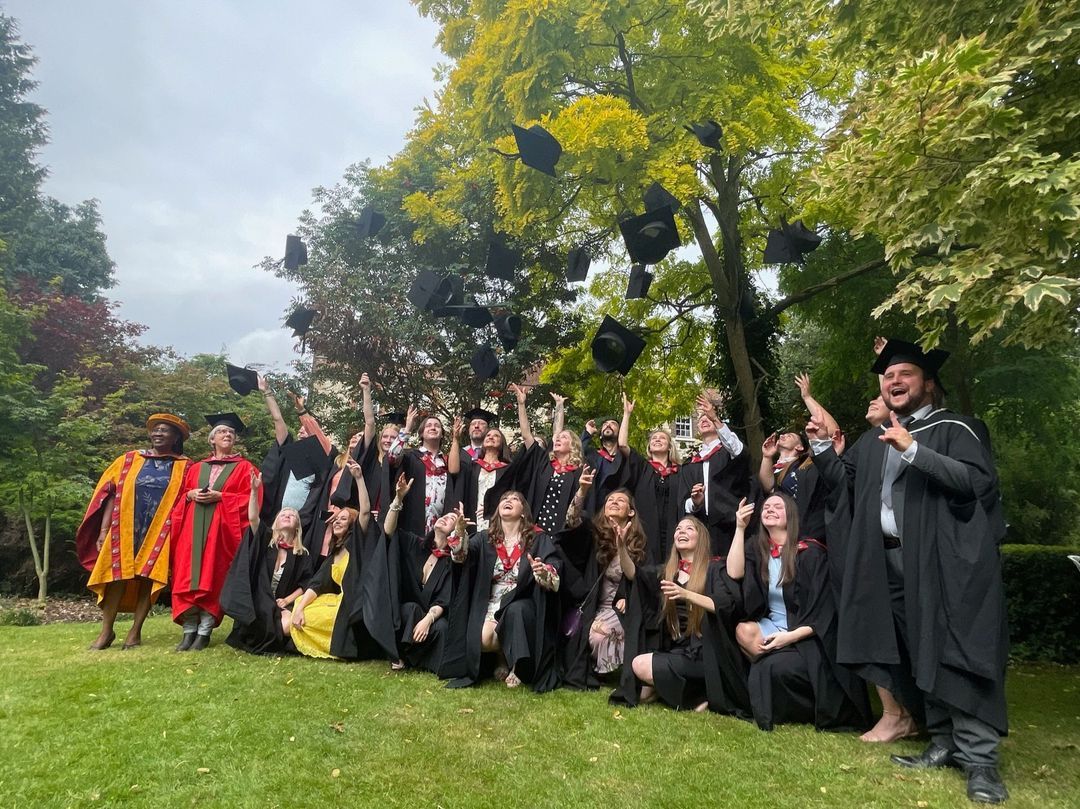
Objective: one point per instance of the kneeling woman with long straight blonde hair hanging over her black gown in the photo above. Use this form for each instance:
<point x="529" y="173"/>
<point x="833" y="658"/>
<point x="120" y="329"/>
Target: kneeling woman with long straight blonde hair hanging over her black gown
<point x="681" y="629"/>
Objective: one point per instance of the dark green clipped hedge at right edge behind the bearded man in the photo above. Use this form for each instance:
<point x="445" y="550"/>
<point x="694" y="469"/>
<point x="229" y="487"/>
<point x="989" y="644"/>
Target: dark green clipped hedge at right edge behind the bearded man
<point x="1043" y="589"/>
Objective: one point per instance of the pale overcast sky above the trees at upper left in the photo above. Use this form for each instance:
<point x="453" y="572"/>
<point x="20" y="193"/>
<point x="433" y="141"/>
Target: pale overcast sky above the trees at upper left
<point x="202" y="128"/>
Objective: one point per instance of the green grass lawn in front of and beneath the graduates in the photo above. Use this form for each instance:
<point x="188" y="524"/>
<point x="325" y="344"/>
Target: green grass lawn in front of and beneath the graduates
<point x="152" y="727"/>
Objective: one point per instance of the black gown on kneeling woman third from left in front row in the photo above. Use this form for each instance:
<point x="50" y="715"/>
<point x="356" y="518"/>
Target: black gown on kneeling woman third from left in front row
<point x="416" y="598"/>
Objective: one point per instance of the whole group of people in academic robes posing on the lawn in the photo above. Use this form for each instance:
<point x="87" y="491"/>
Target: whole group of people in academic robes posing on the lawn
<point x="775" y="597"/>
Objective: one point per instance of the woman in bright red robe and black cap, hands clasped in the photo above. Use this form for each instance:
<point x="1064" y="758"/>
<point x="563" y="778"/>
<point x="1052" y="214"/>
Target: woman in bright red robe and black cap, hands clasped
<point x="209" y="522"/>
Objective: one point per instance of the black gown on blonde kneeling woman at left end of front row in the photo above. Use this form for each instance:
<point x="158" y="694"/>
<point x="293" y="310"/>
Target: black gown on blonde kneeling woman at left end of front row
<point x="249" y="600"/>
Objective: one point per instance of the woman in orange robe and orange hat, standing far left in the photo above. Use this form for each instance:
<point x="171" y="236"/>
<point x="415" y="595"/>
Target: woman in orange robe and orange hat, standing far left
<point x="124" y="540"/>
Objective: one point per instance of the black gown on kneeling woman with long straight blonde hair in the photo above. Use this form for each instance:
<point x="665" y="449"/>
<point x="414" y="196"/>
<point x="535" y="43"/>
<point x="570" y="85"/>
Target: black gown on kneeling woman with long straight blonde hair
<point x="723" y="664"/>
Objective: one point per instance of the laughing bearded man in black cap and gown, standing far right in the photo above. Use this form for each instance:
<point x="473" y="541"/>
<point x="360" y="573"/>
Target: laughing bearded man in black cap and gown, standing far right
<point x="923" y="605"/>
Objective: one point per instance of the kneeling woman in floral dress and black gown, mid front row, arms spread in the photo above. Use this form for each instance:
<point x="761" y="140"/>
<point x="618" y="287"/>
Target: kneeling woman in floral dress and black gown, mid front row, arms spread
<point x="509" y="603"/>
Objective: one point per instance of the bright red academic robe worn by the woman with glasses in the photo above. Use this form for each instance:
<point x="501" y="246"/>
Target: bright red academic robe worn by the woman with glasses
<point x="206" y="538"/>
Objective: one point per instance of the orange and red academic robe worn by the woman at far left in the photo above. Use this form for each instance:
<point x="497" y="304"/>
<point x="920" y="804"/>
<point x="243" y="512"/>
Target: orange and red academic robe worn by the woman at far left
<point x="119" y="560"/>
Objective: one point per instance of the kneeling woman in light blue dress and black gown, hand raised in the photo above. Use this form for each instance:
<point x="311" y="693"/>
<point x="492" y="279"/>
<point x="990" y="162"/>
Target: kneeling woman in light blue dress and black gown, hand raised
<point x="791" y="638"/>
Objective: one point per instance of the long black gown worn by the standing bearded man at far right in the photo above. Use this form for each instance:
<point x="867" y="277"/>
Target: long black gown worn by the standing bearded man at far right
<point x="949" y="514"/>
